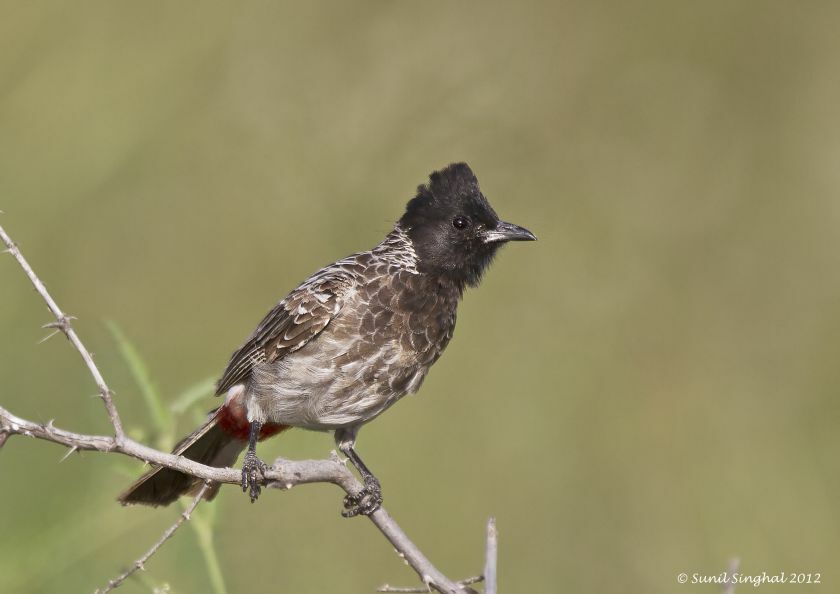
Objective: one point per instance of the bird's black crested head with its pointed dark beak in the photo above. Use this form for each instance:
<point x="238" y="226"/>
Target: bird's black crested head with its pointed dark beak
<point x="454" y="229"/>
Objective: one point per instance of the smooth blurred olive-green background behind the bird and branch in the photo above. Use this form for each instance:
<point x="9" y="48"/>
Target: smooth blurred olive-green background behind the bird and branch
<point x="651" y="388"/>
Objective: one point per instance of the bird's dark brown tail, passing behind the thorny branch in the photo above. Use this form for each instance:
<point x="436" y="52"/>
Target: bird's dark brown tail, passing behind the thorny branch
<point x="208" y="444"/>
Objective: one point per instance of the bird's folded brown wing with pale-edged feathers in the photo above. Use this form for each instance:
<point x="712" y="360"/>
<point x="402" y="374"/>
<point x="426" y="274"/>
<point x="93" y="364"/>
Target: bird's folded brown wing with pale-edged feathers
<point x="292" y="323"/>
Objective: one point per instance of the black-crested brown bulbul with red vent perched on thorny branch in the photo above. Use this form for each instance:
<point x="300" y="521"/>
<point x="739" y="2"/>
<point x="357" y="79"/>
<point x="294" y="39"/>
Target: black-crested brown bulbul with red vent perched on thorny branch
<point x="347" y="343"/>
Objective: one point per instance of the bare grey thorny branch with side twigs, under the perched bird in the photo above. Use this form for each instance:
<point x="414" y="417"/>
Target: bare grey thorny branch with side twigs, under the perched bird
<point x="283" y="474"/>
